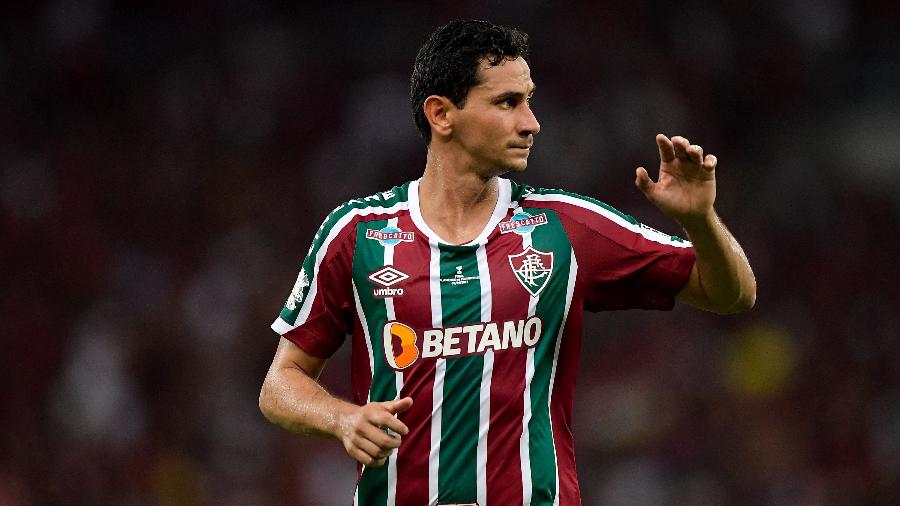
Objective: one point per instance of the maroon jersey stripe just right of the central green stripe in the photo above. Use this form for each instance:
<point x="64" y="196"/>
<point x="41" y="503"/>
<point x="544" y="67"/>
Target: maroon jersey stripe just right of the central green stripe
<point x="504" y="468"/>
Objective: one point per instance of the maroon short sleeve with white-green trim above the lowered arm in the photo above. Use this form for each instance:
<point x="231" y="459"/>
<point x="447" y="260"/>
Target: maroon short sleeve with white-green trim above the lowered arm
<point x="318" y="313"/>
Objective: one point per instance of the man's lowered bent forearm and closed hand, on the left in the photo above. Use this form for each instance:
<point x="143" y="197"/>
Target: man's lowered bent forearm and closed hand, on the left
<point x="292" y="398"/>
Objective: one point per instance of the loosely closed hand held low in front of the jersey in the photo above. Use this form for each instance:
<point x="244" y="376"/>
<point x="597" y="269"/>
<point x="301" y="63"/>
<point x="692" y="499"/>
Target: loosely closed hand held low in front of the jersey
<point x="372" y="432"/>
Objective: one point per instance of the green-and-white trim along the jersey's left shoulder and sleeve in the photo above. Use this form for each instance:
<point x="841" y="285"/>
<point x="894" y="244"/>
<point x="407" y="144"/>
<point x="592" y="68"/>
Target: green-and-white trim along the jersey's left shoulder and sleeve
<point x="337" y="222"/>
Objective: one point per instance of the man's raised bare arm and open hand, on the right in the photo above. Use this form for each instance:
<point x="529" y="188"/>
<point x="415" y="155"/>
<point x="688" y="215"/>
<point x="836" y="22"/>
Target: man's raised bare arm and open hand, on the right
<point x="721" y="280"/>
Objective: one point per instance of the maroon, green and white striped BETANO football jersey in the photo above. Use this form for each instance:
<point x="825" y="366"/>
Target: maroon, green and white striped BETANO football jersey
<point x="483" y="336"/>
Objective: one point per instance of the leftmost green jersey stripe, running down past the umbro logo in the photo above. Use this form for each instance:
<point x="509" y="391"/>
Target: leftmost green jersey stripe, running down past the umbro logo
<point x="369" y="256"/>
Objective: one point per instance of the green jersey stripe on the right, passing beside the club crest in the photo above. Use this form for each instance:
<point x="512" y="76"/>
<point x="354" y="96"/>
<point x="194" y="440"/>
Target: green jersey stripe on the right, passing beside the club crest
<point x="550" y="308"/>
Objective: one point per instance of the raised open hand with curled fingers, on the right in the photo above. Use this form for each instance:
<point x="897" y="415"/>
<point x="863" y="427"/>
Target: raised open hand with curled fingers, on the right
<point x="686" y="187"/>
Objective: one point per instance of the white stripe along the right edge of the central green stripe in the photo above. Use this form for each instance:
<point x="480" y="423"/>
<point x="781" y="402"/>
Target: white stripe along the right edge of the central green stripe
<point x="487" y="371"/>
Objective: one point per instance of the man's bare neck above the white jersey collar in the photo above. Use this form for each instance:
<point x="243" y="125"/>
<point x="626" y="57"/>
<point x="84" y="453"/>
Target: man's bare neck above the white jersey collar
<point x="456" y="202"/>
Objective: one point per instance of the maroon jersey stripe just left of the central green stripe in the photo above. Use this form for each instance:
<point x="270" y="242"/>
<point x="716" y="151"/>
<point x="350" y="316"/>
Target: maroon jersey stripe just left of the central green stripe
<point x="414" y="310"/>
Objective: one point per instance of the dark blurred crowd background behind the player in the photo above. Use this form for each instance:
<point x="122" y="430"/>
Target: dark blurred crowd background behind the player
<point x="165" y="165"/>
